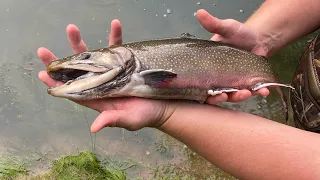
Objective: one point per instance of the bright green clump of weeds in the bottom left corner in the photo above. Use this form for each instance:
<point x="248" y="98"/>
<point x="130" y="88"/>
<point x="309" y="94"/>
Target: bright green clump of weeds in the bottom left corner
<point x="83" y="166"/>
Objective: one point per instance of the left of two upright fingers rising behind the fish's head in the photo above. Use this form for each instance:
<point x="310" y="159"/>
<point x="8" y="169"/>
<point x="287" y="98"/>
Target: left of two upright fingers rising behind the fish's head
<point x="75" y="40"/>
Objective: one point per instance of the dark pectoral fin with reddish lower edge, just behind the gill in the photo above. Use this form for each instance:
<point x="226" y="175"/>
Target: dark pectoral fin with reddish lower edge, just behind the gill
<point x="158" y="77"/>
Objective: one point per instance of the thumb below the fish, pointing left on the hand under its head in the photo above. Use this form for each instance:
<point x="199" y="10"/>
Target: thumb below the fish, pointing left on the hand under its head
<point x="114" y="118"/>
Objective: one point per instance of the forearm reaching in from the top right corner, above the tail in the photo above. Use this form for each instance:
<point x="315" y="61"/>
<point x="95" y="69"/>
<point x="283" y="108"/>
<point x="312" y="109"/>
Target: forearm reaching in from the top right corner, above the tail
<point x="281" y="22"/>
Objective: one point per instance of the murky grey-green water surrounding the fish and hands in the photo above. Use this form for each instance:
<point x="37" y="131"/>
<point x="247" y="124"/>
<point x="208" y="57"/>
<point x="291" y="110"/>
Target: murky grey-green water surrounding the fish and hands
<point x="39" y="126"/>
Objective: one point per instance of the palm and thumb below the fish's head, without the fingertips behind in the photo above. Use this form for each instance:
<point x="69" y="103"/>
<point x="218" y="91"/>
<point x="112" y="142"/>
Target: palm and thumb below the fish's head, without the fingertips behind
<point x="130" y="113"/>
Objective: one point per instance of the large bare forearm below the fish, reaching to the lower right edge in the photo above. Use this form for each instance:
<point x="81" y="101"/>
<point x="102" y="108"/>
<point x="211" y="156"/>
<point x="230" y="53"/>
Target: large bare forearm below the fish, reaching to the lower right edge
<point x="246" y="146"/>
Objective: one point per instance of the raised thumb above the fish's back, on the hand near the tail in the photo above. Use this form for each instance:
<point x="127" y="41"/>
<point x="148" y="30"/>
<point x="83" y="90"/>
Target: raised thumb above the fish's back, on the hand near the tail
<point x="225" y="28"/>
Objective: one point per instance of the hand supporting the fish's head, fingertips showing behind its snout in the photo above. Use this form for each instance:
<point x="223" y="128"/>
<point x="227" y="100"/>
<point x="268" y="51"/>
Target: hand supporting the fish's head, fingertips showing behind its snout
<point x="130" y="113"/>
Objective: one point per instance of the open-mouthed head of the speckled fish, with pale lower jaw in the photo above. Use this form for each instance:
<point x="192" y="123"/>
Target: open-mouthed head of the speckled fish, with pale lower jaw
<point x="91" y="74"/>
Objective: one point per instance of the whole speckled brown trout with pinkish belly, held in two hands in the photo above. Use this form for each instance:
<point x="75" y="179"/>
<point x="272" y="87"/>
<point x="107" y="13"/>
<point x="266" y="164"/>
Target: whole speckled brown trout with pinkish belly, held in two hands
<point x="183" y="67"/>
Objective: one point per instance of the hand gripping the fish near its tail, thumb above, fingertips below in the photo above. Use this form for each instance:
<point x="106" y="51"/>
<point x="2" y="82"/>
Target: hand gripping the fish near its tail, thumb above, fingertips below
<point x="236" y="33"/>
